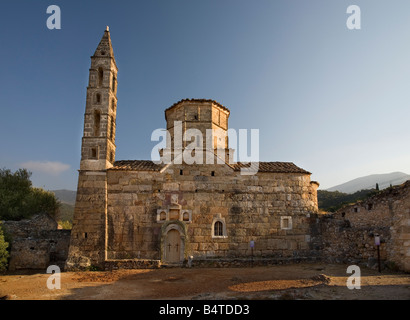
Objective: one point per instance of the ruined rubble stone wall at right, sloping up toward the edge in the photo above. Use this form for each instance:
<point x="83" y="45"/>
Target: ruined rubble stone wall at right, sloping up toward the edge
<point x="348" y="234"/>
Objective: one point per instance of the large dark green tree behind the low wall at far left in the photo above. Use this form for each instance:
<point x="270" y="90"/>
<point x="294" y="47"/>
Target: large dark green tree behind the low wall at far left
<point x="19" y="200"/>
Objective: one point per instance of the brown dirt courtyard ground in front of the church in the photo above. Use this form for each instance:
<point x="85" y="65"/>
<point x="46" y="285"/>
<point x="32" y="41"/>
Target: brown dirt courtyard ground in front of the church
<point x="301" y="281"/>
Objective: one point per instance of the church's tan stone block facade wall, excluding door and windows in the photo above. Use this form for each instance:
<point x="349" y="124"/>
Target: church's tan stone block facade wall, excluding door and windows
<point x="252" y="208"/>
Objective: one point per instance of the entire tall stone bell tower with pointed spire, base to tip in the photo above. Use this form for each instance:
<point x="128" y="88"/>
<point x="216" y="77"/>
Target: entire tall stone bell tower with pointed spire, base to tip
<point x="88" y="243"/>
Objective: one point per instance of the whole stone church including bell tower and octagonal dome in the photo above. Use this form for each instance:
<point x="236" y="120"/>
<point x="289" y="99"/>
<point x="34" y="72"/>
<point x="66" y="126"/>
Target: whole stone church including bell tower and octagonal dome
<point x="145" y="213"/>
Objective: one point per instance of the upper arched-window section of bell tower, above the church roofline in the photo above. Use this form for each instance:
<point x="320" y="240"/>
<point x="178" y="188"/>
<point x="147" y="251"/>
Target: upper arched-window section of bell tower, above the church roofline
<point x="98" y="143"/>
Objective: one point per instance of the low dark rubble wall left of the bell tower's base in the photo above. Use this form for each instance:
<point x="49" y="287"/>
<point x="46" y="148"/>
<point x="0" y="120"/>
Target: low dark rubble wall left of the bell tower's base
<point x="36" y="243"/>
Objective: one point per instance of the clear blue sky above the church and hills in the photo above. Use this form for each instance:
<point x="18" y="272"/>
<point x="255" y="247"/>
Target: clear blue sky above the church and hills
<point x="332" y="100"/>
